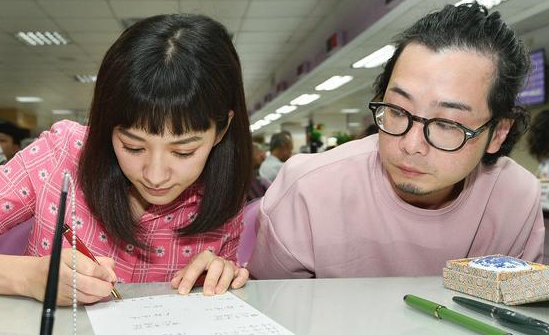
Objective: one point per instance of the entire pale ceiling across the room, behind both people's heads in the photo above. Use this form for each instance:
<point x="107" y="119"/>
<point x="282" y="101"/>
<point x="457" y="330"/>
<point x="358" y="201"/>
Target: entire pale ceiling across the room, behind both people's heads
<point x="271" y="37"/>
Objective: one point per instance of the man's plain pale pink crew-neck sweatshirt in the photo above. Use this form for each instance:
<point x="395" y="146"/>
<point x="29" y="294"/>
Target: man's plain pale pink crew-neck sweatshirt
<point x="335" y="214"/>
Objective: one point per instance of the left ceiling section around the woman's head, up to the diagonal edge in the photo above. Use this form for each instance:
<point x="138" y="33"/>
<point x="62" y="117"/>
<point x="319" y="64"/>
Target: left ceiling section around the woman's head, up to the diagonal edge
<point x="265" y="33"/>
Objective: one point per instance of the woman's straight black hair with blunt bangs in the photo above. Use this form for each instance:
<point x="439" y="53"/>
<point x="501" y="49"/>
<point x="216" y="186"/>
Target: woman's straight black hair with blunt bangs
<point x="168" y="73"/>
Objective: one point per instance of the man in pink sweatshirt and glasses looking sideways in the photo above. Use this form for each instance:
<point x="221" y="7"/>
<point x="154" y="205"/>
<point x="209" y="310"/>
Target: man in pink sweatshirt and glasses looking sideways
<point x="433" y="185"/>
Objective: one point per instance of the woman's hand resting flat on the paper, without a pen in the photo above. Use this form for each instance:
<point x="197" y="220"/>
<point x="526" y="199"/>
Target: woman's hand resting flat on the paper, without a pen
<point x="220" y="274"/>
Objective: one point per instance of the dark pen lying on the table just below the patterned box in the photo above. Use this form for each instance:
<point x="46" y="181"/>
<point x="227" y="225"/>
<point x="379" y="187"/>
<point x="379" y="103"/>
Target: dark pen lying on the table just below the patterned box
<point x="506" y="317"/>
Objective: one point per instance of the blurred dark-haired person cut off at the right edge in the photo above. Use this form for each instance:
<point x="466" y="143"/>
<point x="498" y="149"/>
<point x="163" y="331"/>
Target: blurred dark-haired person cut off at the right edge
<point x="538" y="142"/>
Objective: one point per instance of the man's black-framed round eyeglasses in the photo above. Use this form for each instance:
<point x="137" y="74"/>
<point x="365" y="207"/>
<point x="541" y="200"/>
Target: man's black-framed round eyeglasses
<point x="443" y="134"/>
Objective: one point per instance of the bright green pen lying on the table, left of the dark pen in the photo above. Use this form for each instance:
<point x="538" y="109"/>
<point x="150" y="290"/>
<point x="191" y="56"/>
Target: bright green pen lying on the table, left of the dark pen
<point x="444" y="313"/>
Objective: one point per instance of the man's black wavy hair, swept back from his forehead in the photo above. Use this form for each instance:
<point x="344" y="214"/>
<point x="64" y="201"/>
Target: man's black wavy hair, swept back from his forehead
<point x="468" y="27"/>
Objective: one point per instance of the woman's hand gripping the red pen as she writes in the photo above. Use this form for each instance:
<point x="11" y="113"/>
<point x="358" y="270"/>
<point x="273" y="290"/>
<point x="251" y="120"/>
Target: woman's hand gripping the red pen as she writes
<point x="93" y="281"/>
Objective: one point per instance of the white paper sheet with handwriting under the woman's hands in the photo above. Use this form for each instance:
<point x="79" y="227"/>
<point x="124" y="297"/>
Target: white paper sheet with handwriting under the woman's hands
<point x="174" y="314"/>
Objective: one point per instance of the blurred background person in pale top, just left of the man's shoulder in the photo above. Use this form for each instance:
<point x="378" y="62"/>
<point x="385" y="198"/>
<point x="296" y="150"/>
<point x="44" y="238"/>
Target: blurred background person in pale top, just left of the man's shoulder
<point x="281" y="147"/>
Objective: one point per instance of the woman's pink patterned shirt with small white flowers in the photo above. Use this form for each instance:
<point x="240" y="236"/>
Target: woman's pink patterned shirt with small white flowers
<point x="30" y="185"/>
